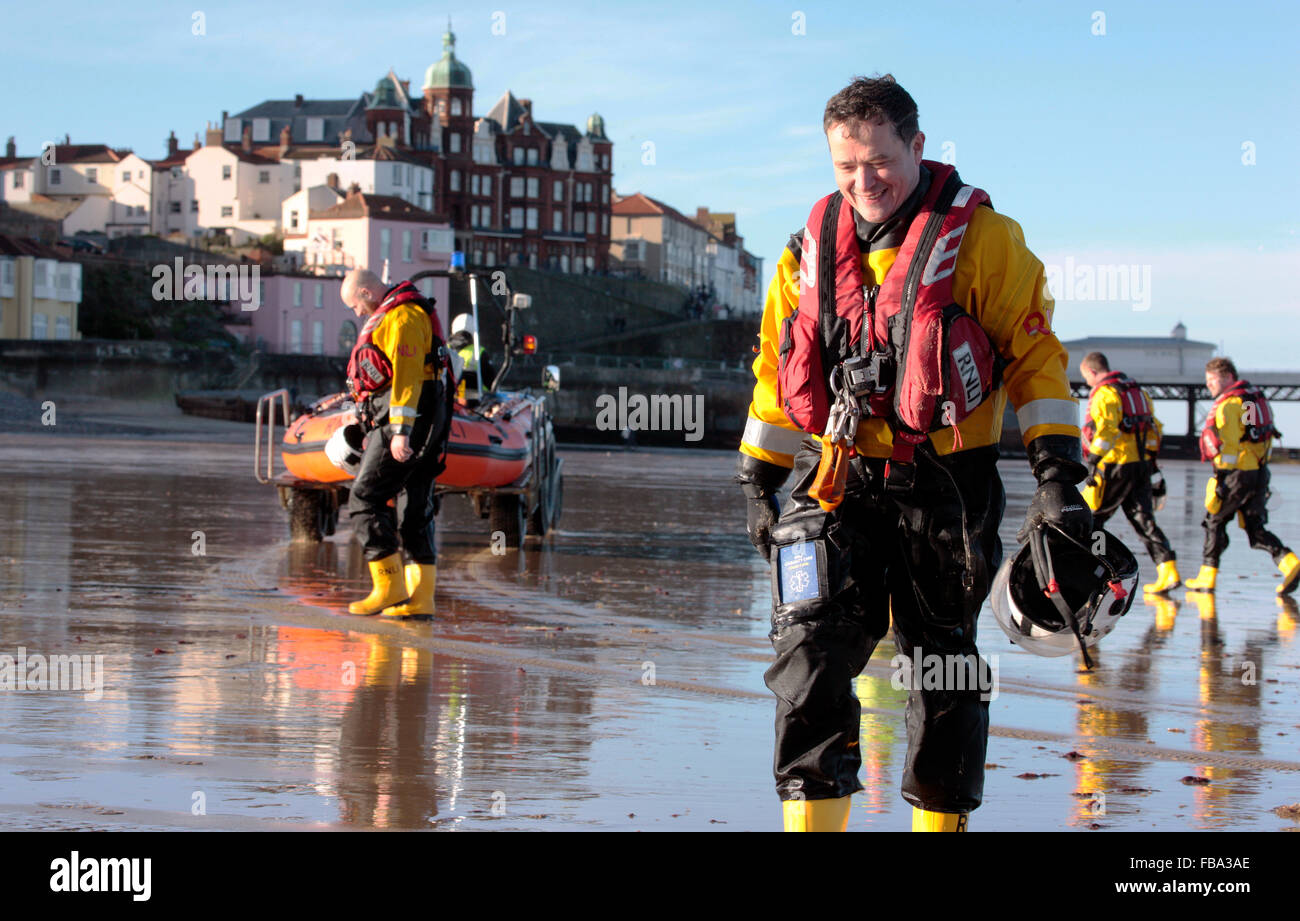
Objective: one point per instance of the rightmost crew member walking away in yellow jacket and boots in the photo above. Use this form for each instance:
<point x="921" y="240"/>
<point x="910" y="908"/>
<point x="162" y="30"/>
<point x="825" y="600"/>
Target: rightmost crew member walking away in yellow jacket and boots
<point x="1238" y="438"/>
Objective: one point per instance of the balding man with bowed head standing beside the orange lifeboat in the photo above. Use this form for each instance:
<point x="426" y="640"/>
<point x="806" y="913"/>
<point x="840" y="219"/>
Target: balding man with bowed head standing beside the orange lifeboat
<point x="397" y="375"/>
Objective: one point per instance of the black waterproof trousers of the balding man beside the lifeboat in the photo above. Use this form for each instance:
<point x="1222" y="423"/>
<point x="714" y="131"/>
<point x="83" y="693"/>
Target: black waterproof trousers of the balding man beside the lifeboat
<point x="383" y="478"/>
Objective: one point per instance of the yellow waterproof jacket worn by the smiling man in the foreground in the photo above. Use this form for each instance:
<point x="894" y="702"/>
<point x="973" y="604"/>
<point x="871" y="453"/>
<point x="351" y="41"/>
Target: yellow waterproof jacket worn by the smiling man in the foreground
<point x="999" y="283"/>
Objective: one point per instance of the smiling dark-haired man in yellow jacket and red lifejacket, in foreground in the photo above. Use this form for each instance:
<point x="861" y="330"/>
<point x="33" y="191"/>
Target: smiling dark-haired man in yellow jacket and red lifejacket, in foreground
<point x="896" y="511"/>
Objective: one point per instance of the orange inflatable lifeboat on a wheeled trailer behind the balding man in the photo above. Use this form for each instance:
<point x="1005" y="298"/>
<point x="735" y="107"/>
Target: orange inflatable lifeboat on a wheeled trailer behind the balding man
<point x="487" y="448"/>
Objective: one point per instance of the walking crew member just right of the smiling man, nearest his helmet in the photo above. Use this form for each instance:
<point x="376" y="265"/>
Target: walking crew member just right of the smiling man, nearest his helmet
<point x="1121" y="440"/>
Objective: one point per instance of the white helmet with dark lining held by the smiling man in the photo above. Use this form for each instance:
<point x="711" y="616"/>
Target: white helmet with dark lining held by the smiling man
<point x="1055" y="595"/>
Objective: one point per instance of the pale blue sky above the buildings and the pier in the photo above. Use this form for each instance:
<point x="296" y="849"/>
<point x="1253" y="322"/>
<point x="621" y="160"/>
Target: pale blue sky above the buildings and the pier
<point x="1116" y="149"/>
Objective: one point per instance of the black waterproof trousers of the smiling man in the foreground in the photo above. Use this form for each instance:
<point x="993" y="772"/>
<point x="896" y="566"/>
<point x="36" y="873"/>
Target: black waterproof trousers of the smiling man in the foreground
<point x="838" y="577"/>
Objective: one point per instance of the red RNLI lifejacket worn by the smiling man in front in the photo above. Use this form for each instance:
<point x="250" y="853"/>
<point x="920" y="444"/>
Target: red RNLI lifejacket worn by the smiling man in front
<point x="943" y="364"/>
